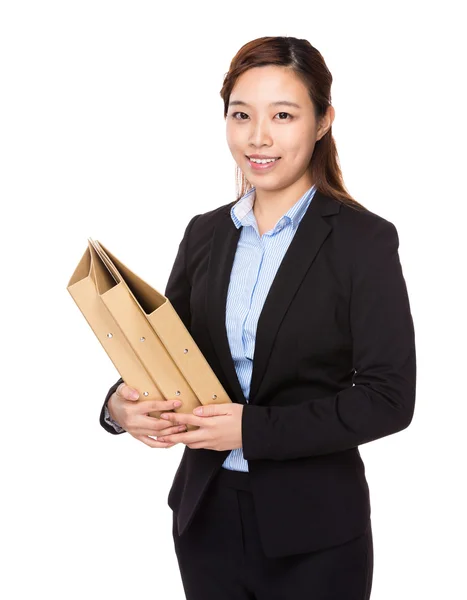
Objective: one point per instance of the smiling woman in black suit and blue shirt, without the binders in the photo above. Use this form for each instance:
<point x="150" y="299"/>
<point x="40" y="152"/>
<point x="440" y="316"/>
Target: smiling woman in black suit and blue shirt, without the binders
<point x="294" y="292"/>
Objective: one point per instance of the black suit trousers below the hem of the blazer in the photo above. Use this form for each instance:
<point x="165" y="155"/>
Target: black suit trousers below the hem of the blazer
<point x="220" y="555"/>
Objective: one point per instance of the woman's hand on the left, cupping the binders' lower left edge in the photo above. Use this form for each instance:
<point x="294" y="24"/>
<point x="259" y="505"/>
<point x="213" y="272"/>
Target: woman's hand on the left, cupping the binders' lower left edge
<point x="133" y="416"/>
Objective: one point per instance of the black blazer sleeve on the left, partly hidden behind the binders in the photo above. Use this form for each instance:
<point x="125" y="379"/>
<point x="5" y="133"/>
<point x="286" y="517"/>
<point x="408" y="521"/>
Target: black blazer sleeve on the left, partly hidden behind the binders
<point x="177" y="290"/>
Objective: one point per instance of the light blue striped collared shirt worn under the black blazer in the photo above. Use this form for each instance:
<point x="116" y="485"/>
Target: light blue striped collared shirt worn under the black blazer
<point x="256" y="262"/>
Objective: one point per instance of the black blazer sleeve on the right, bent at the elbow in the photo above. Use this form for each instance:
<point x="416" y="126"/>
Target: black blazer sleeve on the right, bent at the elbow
<point x="381" y="400"/>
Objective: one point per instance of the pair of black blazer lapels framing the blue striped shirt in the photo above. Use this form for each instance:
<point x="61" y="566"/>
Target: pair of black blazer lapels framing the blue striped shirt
<point x="311" y="233"/>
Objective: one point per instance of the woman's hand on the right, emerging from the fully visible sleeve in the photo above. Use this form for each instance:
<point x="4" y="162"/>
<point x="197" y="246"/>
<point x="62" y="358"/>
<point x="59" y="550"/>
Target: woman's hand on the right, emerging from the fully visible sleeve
<point x="220" y="427"/>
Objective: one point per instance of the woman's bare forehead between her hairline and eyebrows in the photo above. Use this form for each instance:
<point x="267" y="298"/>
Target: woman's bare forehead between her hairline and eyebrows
<point x="260" y="86"/>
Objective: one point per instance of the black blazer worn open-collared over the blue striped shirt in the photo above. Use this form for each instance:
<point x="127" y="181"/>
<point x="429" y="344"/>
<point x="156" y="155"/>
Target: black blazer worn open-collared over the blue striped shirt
<point x="334" y="367"/>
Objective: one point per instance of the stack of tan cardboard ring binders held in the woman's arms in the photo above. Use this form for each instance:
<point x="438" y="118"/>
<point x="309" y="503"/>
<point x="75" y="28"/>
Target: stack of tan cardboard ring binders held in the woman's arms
<point x="142" y="333"/>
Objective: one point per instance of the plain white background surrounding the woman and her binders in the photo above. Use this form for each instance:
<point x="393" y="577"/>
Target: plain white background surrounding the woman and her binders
<point x="112" y="128"/>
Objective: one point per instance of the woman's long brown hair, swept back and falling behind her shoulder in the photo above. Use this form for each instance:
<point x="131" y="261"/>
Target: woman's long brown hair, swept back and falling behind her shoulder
<point x="305" y="60"/>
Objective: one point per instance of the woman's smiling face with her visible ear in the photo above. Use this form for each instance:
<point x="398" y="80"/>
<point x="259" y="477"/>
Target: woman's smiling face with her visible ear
<point x="262" y="119"/>
